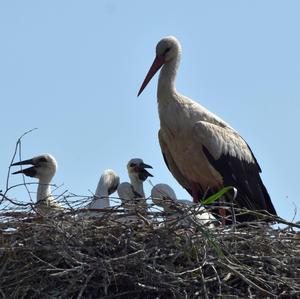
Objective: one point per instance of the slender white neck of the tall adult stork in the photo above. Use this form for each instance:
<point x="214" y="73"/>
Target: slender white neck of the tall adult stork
<point x="166" y="81"/>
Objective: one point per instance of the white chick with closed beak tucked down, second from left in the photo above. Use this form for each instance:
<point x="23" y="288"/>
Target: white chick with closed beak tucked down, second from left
<point x="108" y="184"/>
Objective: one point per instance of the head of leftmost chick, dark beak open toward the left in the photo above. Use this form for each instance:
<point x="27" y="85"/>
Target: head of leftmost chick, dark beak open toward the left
<point x="44" y="167"/>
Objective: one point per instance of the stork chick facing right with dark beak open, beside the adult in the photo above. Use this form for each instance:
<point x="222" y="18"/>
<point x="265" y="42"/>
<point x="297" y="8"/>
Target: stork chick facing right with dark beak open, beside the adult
<point x="132" y="194"/>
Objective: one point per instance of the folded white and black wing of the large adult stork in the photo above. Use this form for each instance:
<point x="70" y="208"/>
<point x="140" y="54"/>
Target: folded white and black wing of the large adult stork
<point x="233" y="159"/>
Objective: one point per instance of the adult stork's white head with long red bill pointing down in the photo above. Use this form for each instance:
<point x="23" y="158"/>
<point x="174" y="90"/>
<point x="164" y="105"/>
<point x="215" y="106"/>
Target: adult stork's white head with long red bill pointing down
<point x="167" y="49"/>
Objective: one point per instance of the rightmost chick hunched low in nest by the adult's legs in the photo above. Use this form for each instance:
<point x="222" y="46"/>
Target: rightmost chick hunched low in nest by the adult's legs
<point x="164" y="196"/>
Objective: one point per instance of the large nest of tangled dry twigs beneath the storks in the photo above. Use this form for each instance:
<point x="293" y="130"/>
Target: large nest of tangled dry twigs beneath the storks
<point x="68" y="256"/>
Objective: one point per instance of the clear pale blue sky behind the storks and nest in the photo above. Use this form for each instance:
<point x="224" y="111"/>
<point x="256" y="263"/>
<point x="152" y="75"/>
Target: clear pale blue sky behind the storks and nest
<point x="73" y="69"/>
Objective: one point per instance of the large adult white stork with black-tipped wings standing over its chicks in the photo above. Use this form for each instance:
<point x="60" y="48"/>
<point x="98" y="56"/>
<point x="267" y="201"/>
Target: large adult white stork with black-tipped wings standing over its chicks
<point x="201" y="150"/>
